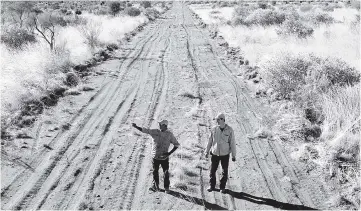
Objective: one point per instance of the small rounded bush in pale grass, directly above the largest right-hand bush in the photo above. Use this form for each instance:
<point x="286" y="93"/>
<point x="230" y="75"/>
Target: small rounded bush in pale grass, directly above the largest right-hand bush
<point x="292" y="26"/>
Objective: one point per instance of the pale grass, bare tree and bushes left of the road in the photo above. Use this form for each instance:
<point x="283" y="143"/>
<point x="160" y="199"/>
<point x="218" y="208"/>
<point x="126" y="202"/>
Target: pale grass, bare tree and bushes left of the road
<point x="46" y="51"/>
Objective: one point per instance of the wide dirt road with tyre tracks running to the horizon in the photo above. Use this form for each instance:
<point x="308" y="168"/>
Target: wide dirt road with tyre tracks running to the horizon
<point x="100" y="162"/>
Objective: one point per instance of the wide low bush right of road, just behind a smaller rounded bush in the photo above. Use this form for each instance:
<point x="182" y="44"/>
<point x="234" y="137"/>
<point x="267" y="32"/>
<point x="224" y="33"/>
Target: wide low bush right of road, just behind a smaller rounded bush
<point x="265" y="17"/>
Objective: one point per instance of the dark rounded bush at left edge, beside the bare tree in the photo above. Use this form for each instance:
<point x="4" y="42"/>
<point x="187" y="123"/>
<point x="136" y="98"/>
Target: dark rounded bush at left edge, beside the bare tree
<point x="17" y="38"/>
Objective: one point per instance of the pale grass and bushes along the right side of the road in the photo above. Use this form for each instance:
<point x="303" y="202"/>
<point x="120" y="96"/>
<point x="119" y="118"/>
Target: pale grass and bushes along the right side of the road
<point x="304" y="59"/>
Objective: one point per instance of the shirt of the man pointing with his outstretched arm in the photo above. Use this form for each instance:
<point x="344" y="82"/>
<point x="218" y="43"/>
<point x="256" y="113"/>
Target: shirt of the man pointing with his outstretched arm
<point x="161" y="142"/>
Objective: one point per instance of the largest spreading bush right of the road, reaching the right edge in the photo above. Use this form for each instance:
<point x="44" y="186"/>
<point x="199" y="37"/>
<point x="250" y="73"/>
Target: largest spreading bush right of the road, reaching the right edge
<point x="293" y="76"/>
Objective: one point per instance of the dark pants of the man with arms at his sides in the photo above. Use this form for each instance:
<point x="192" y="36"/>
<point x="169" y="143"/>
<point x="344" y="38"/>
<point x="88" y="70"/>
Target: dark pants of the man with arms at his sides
<point x="214" y="166"/>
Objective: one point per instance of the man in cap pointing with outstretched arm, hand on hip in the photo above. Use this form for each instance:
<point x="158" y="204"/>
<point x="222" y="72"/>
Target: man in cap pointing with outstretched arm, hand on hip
<point x="162" y="139"/>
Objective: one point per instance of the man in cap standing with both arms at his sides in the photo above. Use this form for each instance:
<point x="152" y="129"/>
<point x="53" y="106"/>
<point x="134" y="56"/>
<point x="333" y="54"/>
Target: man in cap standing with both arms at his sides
<point x="221" y="143"/>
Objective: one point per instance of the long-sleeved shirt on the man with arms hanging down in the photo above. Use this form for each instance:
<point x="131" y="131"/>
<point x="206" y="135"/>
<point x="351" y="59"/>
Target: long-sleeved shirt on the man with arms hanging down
<point x="221" y="142"/>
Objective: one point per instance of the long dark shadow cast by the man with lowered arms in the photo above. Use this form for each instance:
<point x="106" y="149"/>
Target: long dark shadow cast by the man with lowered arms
<point x="266" y="201"/>
